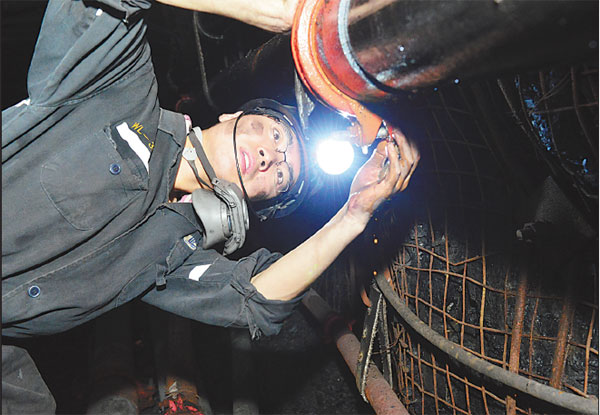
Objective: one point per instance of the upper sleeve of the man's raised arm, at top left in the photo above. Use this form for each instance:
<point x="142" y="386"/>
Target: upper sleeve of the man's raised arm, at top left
<point x="86" y="46"/>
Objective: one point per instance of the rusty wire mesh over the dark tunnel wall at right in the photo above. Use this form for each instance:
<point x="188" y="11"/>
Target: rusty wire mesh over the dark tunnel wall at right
<point x="530" y="308"/>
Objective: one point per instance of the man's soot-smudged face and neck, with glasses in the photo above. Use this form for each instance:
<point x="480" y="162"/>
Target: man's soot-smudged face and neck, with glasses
<point x="267" y="151"/>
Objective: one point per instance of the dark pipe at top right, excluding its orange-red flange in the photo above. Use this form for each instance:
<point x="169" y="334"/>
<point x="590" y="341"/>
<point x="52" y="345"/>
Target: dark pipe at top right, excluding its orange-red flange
<point x="412" y="44"/>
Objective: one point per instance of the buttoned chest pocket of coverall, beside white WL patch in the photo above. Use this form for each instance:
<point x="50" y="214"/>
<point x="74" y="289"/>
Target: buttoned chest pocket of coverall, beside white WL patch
<point x="90" y="183"/>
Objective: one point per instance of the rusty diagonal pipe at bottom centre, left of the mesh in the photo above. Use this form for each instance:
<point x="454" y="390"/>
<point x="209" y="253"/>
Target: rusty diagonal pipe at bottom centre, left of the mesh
<point x="379" y="393"/>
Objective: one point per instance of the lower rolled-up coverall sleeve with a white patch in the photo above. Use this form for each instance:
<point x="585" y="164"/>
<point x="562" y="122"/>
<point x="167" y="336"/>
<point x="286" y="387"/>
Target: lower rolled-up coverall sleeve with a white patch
<point x="212" y="289"/>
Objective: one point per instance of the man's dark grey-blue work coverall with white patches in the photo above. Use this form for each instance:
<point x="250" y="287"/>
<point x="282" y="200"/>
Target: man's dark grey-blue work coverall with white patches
<point x="86" y="223"/>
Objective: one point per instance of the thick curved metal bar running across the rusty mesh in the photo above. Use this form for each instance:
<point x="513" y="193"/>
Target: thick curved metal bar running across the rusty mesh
<point x="546" y="393"/>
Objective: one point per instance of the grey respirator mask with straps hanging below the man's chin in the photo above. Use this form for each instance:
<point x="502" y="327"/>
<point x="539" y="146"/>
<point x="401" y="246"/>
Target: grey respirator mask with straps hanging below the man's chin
<point x="222" y="210"/>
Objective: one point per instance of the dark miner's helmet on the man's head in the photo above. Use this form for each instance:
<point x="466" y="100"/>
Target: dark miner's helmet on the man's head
<point x="288" y="201"/>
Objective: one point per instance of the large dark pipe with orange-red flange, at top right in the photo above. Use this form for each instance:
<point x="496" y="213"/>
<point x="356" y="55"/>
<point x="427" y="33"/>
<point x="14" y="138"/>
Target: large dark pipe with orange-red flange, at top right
<point x="350" y="52"/>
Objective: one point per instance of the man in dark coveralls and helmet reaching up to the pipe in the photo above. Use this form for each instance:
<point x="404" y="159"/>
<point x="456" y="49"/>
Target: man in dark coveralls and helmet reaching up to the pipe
<point x="89" y="163"/>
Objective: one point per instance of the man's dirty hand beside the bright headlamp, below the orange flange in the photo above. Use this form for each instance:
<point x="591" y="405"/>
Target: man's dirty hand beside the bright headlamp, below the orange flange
<point x="375" y="182"/>
